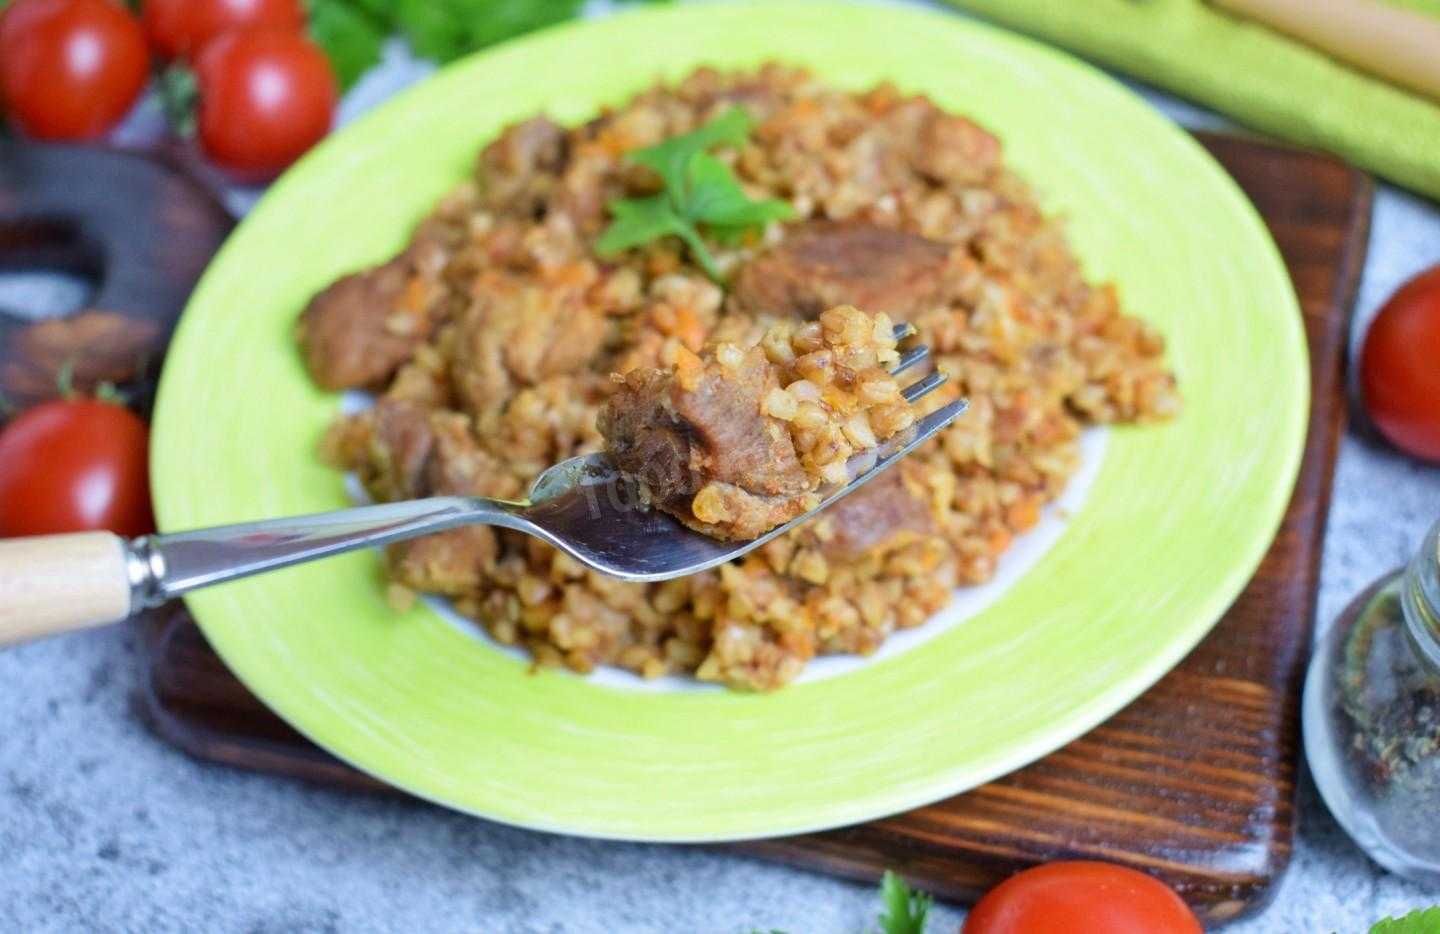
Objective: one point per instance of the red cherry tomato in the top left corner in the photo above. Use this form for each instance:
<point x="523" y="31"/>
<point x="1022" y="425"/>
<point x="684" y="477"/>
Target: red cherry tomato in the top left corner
<point x="70" y="70"/>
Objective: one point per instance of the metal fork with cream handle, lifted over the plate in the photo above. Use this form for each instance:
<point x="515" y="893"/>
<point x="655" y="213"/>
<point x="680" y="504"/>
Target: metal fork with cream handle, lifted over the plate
<point x="582" y="507"/>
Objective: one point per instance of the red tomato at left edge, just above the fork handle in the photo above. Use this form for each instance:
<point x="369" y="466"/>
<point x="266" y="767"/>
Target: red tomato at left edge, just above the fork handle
<point x="74" y="466"/>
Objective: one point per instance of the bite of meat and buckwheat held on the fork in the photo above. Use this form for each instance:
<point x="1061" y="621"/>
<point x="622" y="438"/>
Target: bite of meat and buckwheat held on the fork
<point x="739" y="440"/>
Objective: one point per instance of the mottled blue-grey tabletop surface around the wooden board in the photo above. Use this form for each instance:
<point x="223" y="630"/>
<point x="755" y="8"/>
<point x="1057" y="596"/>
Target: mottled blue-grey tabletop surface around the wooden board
<point x="104" y="828"/>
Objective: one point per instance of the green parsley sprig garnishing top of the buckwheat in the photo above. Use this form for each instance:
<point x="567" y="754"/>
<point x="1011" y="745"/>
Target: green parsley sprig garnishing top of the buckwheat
<point x="699" y="189"/>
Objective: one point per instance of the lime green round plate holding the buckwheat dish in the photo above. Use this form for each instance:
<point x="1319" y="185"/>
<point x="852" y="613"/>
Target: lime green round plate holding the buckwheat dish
<point x="1173" y="526"/>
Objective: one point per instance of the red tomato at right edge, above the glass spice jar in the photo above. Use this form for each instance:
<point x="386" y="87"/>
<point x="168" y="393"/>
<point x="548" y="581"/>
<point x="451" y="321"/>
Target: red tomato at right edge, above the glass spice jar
<point x="1400" y="368"/>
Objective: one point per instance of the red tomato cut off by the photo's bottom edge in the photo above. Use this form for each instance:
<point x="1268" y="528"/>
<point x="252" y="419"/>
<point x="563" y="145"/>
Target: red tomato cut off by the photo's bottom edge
<point x="1082" y="899"/>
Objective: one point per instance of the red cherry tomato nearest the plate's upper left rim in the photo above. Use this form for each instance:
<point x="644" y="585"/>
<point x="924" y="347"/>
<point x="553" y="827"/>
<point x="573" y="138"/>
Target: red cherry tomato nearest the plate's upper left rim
<point x="267" y="96"/>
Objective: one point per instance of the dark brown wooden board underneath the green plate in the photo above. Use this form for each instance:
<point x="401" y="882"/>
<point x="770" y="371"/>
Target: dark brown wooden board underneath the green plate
<point x="1193" y="782"/>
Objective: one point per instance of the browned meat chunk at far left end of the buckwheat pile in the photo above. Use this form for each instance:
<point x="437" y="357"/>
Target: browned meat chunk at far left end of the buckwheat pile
<point x="359" y="330"/>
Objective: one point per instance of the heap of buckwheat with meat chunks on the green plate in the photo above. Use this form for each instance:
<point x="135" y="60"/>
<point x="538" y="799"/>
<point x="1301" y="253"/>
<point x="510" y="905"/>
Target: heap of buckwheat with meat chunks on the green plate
<point x="493" y="337"/>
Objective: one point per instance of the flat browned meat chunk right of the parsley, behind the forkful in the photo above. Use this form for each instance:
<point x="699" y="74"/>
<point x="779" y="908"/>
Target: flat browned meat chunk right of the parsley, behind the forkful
<point x="824" y="266"/>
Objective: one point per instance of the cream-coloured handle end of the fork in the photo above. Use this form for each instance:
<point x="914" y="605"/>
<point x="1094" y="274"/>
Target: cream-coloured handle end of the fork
<point x="60" y="584"/>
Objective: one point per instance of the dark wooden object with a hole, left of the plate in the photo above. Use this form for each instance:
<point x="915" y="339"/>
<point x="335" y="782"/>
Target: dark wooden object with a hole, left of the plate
<point x="136" y="231"/>
